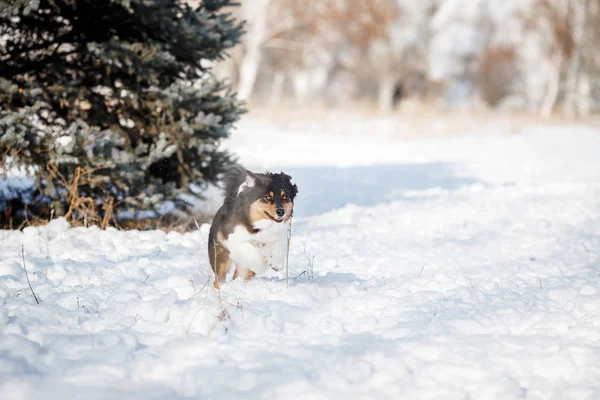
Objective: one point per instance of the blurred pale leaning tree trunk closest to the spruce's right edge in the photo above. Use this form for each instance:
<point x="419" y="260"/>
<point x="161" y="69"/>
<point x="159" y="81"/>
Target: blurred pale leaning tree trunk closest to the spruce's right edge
<point x="256" y="11"/>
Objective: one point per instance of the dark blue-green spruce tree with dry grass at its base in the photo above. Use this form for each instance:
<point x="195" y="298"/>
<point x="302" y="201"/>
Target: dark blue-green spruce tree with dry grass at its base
<point x="114" y="100"/>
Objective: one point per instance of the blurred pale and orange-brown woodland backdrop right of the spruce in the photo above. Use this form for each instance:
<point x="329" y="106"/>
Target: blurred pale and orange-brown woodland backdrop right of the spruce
<point x="534" y="56"/>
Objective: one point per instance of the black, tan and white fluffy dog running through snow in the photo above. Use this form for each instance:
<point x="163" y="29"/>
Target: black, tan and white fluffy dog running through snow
<point x="250" y="229"/>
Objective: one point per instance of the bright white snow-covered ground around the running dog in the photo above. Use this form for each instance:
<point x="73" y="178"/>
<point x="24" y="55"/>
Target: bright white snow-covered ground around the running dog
<point x="462" y="266"/>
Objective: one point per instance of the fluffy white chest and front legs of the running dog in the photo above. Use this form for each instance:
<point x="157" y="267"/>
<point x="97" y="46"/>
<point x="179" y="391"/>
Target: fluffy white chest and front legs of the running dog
<point x="258" y="251"/>
